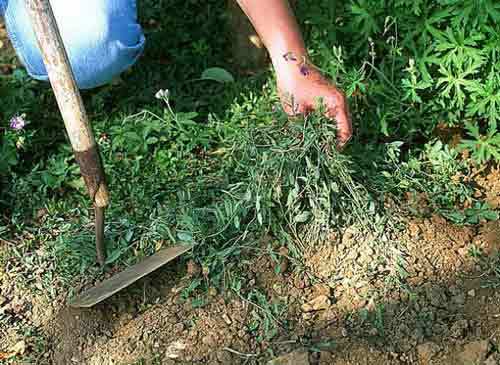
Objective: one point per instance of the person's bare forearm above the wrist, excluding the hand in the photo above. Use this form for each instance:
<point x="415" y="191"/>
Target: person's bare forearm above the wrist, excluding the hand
<point x="276" y="25"/>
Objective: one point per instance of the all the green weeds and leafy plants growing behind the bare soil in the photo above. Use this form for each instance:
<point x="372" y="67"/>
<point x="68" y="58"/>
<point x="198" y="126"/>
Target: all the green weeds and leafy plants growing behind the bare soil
<point x="218" y="164"/>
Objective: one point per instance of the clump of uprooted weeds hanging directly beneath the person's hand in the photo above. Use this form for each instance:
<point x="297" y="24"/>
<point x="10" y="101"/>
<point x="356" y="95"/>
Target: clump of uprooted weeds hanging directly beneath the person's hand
<point x="291" y="171"/>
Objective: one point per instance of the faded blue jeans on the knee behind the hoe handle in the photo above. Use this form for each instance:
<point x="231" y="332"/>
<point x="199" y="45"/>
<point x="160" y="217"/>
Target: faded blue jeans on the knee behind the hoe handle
<point x="102" y="37"/>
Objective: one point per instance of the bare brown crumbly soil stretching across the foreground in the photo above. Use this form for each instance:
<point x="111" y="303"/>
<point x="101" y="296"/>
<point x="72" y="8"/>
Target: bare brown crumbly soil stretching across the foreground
<point x="342" y="306"/>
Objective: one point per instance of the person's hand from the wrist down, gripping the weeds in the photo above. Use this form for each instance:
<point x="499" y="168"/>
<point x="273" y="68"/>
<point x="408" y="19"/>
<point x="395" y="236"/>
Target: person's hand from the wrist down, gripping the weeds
<point x="301" y="84"/>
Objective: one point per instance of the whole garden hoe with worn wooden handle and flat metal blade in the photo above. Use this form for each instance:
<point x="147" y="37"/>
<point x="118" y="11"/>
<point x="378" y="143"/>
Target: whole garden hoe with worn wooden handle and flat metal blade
<point x="86" y="153"/>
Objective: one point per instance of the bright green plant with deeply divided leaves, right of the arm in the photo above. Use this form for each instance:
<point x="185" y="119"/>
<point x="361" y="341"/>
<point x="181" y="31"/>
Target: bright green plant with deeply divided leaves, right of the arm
<point x="416" y="63"/>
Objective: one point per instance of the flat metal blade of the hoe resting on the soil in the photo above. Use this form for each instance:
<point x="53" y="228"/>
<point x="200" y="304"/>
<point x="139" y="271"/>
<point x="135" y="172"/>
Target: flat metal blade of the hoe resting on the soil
<point x="125" y="278"/>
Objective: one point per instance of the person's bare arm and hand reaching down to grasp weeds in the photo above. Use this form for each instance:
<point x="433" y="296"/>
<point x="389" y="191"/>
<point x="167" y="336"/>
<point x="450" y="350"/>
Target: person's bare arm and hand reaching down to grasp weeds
<point x="299" y="83"/>
